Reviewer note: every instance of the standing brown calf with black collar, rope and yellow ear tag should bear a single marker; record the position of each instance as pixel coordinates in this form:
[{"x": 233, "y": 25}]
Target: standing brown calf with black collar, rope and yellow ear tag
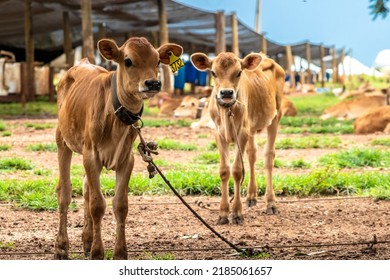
[{"x": 96, "y": 109}]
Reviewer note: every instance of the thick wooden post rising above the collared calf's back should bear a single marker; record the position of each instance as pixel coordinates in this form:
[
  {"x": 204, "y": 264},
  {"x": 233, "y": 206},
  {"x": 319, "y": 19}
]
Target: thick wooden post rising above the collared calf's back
[{"x": 86, "y": 23}]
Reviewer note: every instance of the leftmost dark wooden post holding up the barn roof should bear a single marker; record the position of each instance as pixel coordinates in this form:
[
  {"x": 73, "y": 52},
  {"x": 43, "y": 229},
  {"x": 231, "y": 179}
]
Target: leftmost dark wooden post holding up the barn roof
[{"x": 29, "y": 81}]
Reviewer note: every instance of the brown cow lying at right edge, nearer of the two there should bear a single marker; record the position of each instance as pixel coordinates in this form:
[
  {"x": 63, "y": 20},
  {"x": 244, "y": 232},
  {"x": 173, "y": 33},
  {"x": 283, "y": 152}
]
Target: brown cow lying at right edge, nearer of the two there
[{"x": 375, "y": 120}]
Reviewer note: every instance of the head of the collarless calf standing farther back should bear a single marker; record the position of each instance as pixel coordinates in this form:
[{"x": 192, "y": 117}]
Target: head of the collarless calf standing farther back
[{"x": 226, "y": 69}]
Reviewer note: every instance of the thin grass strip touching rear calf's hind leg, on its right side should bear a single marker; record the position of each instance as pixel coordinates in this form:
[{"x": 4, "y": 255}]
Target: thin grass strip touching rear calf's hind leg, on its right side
[{"x": 309, "y": 142}]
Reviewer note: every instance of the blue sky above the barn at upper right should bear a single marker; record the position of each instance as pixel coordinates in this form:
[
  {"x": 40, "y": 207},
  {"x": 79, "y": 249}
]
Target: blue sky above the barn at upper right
[{"x": 344, "y": 24}]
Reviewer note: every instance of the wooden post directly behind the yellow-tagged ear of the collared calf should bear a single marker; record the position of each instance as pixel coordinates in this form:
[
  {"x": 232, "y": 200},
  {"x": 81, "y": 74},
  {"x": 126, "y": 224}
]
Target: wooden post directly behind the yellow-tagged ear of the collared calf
[{"x": 164, "y": 38}]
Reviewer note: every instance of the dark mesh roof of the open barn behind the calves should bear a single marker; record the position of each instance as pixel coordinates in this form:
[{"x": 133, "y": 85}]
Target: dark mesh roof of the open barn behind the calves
[{"x": 193, "y": 28}]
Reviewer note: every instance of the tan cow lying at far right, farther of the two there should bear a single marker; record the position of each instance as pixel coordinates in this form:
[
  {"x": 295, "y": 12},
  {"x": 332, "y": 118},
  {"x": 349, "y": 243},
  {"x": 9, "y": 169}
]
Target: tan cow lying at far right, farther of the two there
[{"x": 352, "y": 109}]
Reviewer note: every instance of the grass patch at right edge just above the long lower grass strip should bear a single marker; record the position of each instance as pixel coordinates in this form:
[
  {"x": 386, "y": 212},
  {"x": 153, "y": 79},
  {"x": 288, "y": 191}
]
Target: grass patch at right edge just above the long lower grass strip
[{"x": 357, "y": 157}]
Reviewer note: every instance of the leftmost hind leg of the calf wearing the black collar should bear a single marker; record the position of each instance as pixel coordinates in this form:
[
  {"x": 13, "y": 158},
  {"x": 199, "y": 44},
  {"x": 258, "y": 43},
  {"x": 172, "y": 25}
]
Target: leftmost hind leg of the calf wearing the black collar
[{"x": 64, "y": 196}]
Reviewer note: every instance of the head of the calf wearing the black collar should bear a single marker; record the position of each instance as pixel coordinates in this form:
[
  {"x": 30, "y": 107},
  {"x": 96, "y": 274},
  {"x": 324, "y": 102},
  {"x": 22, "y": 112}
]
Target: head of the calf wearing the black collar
[{"x": 138, "y": 63}]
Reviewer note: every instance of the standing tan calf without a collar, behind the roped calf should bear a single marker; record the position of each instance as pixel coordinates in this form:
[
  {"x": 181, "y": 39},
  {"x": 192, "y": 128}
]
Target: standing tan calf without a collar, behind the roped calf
[{"x": 248, "y": 96}]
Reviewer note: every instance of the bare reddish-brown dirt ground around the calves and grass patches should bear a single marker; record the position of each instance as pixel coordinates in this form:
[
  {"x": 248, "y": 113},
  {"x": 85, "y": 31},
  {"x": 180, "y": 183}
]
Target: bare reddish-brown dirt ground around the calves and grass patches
[{"x": 158, "y": 225}]
